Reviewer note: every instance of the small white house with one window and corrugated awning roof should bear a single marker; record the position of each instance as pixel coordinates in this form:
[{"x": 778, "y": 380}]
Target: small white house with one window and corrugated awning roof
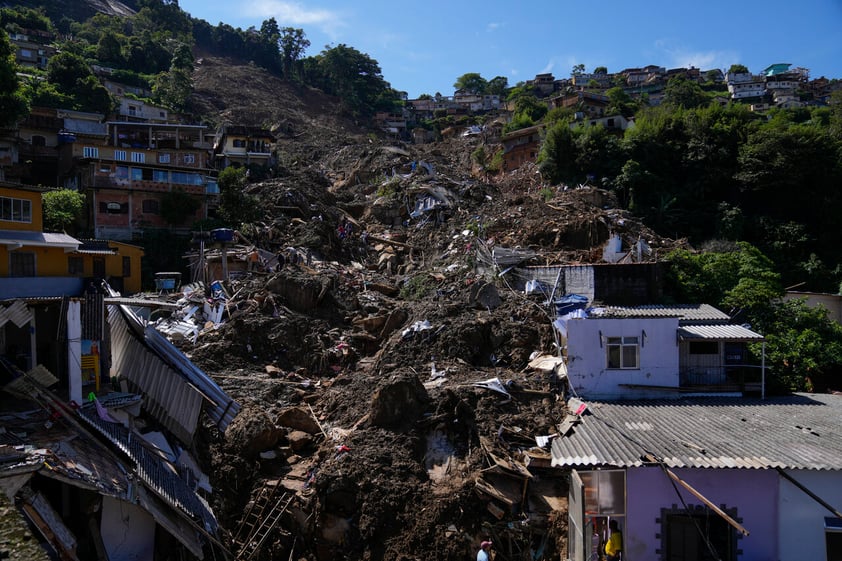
[{"x": 658, "y": 352}]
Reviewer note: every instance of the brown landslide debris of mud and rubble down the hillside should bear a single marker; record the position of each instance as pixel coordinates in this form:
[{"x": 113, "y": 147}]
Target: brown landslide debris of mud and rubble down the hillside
[{"x": 389, "y": 407}]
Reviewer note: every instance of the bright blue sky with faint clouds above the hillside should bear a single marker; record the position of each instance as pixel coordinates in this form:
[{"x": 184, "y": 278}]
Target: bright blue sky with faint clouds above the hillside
[{"x": 424, "y": 47}]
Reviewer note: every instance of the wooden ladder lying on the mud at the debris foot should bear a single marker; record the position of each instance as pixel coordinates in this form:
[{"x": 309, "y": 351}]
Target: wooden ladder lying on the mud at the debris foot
[{"x": 260, "y": 520}]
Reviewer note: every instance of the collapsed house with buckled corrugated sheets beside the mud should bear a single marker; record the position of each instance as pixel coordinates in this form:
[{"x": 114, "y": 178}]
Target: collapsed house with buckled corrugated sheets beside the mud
[{"x": 111, "y": 475}]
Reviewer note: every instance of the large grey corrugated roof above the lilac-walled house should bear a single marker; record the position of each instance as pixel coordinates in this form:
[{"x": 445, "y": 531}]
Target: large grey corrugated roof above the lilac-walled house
[{"x": 794, "y": 432}]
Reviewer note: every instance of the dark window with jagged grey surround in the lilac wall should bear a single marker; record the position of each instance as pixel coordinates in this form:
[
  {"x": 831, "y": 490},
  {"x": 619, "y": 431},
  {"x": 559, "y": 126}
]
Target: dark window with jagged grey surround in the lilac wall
[{"x": 698, "y": 534}]
